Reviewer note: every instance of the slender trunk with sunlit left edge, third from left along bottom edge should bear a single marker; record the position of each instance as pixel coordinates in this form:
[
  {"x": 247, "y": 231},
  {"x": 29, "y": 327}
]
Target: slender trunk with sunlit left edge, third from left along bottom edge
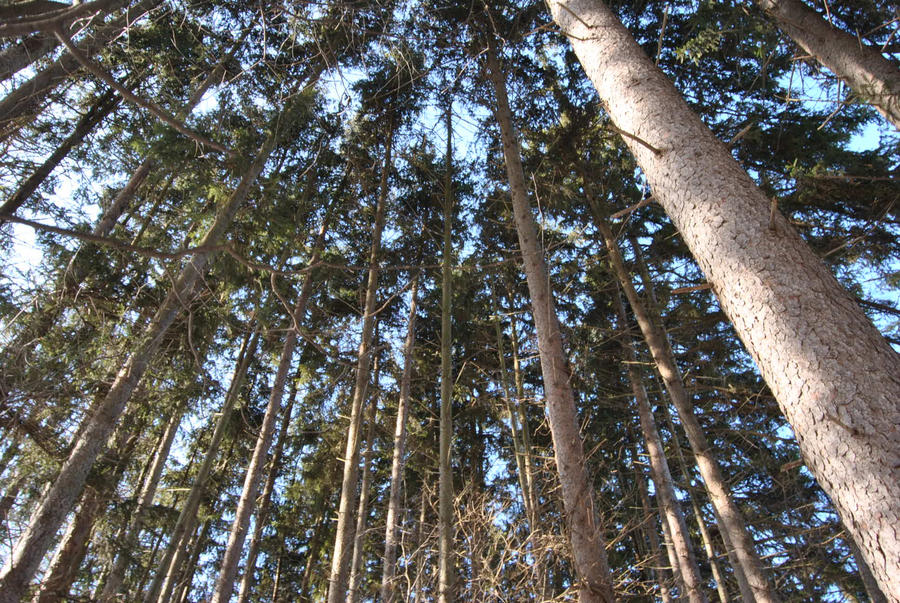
[{"x": 144, "y": 500}]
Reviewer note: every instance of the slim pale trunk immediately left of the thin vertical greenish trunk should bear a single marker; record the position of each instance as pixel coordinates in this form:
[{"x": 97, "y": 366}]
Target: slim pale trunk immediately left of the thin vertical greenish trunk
[{"x": 388, "y": 577}]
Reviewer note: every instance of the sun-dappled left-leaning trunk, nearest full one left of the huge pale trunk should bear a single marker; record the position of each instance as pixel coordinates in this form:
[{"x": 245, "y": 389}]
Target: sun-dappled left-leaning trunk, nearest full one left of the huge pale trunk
[{"x": 732, "y": 519}]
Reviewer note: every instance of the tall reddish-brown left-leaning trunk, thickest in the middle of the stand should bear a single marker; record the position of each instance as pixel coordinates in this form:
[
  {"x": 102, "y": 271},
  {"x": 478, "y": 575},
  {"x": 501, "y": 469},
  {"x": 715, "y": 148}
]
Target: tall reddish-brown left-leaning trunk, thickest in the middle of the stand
[{"x": 585, "y": 535}]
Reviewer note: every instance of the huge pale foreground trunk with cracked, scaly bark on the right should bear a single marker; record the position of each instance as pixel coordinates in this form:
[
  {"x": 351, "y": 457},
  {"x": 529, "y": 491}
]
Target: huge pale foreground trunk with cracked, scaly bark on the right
[{"x": 835, "y": 377}]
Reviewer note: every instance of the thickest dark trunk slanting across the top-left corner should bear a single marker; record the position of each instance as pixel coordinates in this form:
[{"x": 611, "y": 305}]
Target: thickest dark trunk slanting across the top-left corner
[{"x": 24, "y": 102}]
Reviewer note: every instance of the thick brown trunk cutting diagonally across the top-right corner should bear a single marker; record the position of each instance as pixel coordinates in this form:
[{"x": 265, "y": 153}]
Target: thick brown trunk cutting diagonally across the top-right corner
[{"x": 873, "y": 77}]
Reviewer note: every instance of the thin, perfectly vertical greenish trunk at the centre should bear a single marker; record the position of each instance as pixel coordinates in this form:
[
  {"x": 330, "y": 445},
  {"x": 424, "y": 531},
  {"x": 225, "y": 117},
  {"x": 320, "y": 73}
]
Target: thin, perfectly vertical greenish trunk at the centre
[{"x": 446, "y": 578}]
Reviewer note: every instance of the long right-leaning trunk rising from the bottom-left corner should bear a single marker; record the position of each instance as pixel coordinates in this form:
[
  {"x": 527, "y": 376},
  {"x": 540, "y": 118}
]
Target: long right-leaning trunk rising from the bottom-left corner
[{"x": 52, "y": 510}]
